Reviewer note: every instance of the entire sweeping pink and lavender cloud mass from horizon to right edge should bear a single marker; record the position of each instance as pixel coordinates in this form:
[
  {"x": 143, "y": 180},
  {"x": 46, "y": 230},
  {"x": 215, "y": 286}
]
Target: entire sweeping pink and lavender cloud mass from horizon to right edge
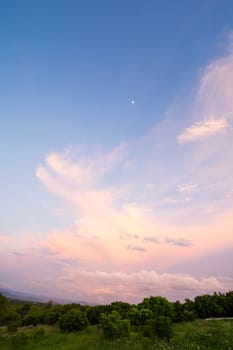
[{"x": 141, "y": 209}]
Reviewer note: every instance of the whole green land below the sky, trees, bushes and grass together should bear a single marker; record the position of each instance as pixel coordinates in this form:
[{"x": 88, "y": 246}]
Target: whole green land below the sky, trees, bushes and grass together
[{"x": 153, "y": 324}]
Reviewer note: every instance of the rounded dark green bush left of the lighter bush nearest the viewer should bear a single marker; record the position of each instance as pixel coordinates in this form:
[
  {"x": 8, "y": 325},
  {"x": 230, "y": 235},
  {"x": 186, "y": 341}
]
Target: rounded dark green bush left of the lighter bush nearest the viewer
[{"x": 72, "y": 321}]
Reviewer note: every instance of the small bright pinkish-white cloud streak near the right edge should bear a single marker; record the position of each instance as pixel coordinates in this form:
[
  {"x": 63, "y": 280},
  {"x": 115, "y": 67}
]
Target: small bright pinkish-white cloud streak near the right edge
[{"x": 203, "y": 129}]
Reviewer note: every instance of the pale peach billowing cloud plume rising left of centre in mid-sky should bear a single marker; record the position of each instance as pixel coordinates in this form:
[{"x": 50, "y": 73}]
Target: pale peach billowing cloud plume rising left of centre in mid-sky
[{"x": 98, "y": 210}]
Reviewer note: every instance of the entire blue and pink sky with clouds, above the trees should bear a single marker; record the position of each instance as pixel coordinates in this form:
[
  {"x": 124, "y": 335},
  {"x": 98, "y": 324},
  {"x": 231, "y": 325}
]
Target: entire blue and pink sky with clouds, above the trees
[{"x": 116, "y": 148}]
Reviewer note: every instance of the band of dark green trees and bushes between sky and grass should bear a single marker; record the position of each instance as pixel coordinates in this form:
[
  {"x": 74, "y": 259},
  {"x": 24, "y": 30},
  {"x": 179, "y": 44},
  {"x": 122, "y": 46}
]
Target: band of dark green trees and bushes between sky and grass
[{"x": 152, "y": 317}]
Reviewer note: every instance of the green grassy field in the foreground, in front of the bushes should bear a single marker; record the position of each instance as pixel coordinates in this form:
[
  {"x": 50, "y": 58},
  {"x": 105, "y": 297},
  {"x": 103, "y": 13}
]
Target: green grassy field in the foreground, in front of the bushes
[{"x": 198, "y": 335}]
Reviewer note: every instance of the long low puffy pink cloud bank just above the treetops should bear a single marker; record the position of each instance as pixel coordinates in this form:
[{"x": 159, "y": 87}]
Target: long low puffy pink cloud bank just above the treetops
[{"x": 101, "y": 286}]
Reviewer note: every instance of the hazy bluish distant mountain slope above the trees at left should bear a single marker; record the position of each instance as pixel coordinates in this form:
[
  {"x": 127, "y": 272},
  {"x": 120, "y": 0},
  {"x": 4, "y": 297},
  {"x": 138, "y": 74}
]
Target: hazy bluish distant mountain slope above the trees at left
[{"x": 15, "y": 295}]
